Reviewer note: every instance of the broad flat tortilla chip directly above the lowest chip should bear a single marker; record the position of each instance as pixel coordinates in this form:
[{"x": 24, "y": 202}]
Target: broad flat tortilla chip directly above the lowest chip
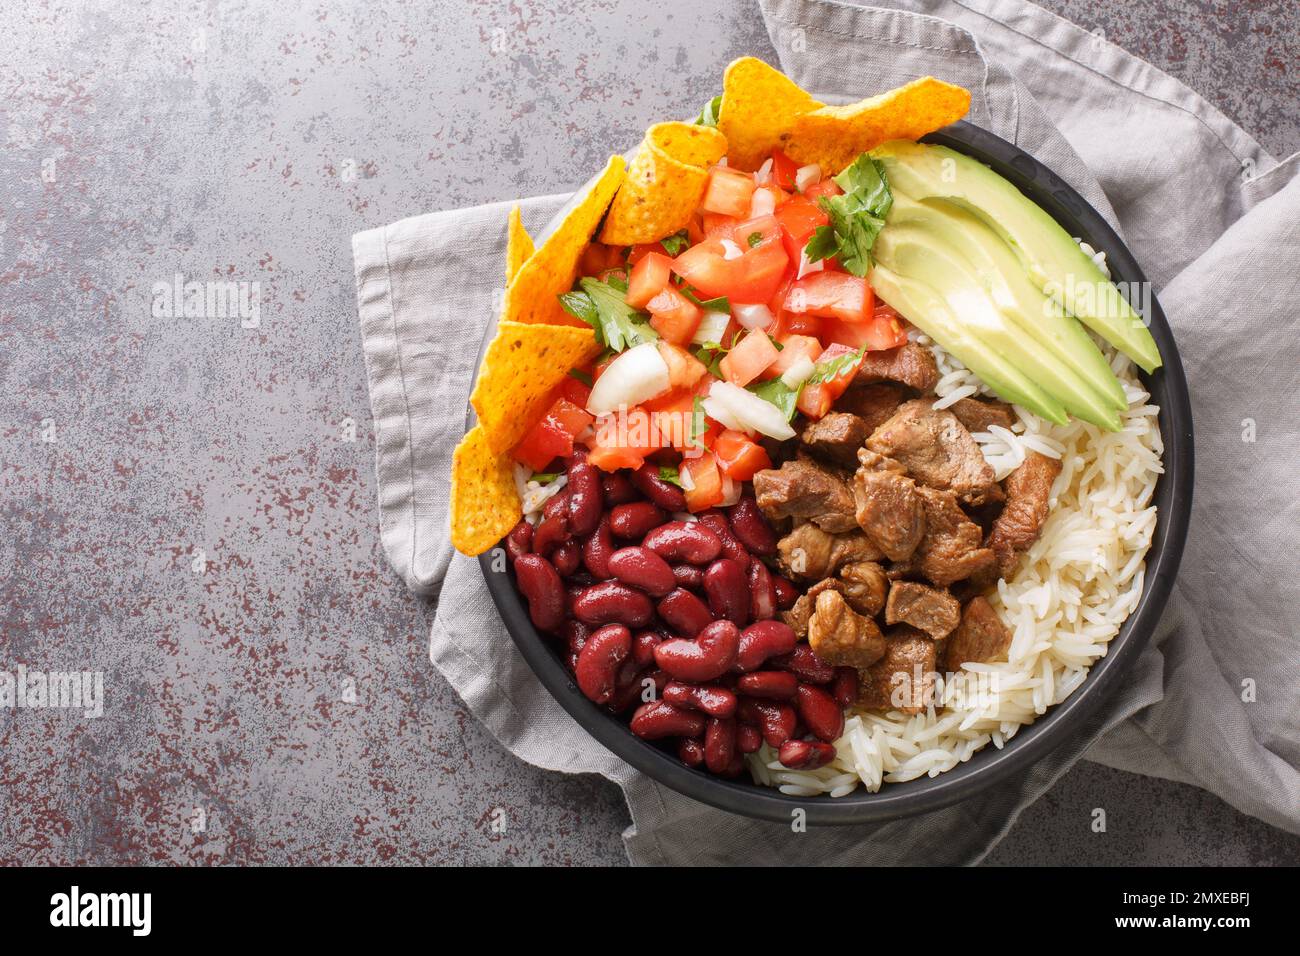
[{"x": 522, "y": 369}]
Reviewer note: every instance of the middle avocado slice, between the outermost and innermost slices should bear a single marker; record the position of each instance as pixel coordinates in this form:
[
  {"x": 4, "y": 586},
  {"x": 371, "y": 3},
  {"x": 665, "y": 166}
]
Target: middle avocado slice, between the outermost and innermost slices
[{"x": 1003, "y": 276}]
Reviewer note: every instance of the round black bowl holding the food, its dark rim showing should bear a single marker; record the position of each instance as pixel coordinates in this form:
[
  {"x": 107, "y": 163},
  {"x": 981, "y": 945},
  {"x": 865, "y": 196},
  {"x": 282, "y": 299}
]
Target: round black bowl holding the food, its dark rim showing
[{"x": 1173, "y": 500}]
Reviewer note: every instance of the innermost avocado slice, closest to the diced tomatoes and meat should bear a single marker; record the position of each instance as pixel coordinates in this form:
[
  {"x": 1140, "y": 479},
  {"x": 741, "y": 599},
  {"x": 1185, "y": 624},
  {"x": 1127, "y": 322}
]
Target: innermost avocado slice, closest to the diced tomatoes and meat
[{"x": 928, "y": 257}]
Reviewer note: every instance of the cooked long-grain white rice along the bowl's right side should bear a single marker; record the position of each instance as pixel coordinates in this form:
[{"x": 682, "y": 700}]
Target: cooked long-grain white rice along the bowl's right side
[{"x": 1072, "y": 592}]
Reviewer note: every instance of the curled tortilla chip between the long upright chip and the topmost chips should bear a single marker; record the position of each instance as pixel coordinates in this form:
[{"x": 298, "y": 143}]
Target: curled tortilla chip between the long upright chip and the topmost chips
[{"x": 665, "y": 184}]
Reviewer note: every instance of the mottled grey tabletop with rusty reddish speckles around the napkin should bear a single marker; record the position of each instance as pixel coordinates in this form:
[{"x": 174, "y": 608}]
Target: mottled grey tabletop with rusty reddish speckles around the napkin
[{"x": 189, "y": 504}]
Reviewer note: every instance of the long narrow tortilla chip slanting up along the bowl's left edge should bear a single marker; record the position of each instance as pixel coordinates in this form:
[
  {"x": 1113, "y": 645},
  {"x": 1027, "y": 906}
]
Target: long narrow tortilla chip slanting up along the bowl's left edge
[{"x": 552, "y": 270}]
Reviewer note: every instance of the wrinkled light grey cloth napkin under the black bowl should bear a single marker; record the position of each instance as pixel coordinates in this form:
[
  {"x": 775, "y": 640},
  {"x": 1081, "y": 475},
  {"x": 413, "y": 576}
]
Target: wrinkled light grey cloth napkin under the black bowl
[{"x": 1212, "y": 218}]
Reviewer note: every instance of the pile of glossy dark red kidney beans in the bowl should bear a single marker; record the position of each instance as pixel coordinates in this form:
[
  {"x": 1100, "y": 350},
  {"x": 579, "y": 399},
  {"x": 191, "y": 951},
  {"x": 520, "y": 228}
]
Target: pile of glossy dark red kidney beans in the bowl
[{"x": 674, "y": 625}]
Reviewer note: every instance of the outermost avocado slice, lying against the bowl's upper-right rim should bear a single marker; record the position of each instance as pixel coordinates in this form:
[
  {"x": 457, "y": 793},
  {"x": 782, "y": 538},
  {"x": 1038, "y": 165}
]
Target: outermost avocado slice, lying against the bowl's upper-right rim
[{"x": 1054, "y": 261}]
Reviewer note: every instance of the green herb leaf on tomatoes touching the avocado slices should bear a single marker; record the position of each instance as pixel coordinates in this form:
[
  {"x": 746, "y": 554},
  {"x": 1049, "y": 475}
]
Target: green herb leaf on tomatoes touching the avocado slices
[{"x": 856, "y": 218}]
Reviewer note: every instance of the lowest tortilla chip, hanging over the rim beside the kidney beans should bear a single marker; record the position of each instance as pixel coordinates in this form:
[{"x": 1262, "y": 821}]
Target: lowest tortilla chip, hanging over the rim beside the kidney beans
[{"x": 484, "y": 500}]
